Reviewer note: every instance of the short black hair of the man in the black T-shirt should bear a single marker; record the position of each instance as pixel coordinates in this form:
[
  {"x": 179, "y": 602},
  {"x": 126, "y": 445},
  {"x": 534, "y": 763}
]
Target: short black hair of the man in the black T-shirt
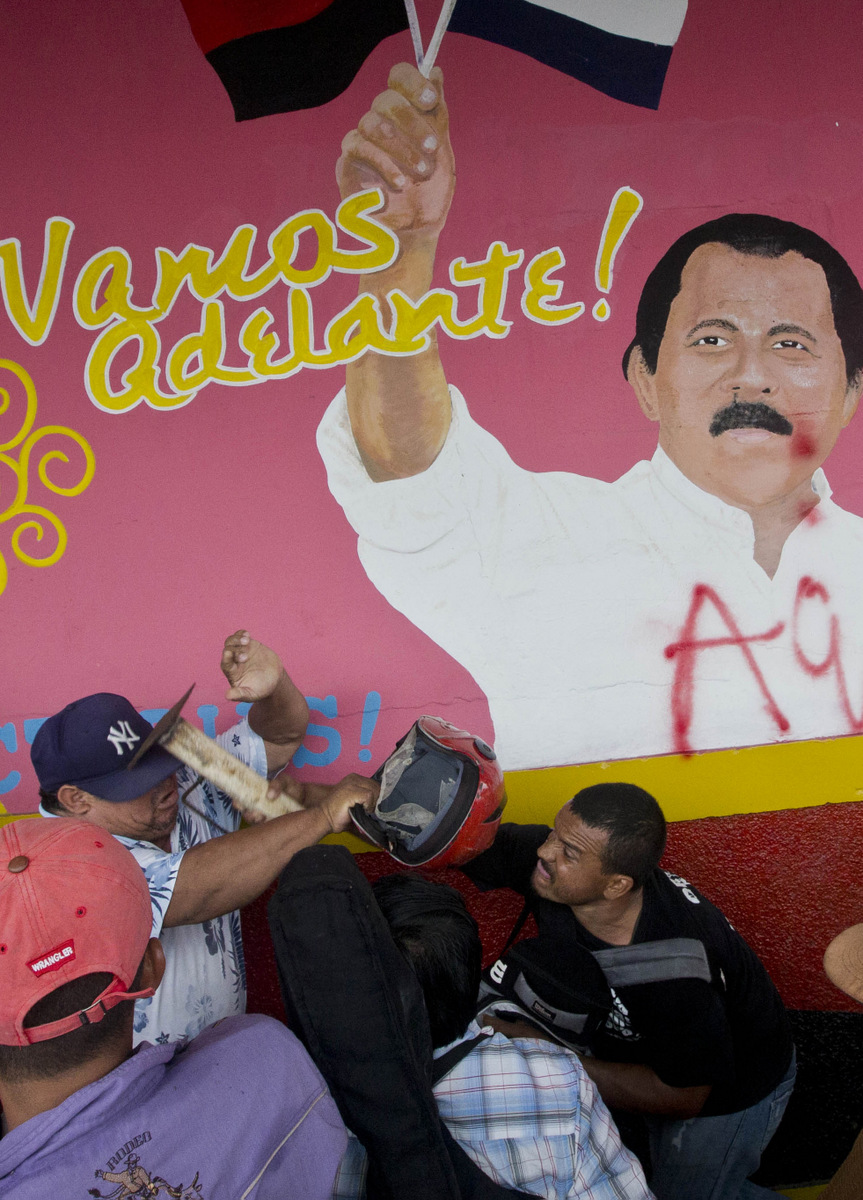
[{"x": 634, "y": 823}]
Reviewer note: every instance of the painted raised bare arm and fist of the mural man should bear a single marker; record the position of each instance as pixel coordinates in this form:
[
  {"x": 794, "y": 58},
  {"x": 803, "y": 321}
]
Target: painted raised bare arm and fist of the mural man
[{"x": 400, "y": 407}]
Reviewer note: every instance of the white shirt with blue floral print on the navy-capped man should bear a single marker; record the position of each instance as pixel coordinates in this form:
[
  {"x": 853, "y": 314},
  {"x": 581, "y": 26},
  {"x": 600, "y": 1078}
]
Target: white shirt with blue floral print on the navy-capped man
[{"x": 206, "y": 973}]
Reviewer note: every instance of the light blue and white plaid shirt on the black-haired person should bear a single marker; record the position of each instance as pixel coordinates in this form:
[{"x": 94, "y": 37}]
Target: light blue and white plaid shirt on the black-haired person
[{"x": 530, "y": 1119}]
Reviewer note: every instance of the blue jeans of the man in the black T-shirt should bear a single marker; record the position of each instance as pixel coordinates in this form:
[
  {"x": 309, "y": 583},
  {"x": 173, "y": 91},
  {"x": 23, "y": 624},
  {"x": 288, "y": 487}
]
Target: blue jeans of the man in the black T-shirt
[{"x": 711, "y": 1159}]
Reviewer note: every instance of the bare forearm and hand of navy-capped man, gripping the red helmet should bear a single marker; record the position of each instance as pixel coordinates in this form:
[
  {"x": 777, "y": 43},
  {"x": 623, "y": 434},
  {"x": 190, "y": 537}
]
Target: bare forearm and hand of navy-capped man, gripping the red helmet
[{"x": 233, "y": 871}]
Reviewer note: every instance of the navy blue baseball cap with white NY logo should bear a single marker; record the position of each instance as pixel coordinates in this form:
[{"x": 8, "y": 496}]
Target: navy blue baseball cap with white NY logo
[{"x": 91, "y": 745}]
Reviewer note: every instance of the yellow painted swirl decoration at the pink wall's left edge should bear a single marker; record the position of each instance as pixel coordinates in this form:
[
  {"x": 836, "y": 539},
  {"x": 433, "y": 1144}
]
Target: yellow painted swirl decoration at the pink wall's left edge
[{"x": 26, "y": 518}]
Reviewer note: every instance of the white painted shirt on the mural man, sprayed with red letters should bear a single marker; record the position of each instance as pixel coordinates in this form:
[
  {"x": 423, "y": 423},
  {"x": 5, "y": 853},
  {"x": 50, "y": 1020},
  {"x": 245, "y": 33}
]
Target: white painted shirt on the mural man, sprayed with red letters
[{"x": 612, "y": 621}]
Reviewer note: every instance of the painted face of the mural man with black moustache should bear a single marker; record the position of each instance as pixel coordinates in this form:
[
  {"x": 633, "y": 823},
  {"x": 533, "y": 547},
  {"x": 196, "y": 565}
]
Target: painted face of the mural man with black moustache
[{"x": 751, "y": 391}]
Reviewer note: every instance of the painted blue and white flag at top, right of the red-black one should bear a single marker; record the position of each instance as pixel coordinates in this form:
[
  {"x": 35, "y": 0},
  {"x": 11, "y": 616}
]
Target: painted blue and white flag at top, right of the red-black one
[{"x": 620, "y": 47}]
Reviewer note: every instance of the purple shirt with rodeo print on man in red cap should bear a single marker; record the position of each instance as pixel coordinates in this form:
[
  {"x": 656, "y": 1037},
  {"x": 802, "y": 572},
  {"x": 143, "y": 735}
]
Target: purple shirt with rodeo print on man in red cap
[{"x": 242, "y": 1112}]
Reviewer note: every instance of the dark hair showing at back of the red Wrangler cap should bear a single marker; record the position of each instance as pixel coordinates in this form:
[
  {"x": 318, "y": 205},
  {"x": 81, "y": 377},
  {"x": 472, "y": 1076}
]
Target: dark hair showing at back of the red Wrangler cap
[{"x": 45, "y": 1060}]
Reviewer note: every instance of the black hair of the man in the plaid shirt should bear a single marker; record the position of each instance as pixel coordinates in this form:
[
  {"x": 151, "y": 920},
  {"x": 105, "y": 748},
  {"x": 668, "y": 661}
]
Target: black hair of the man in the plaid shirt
[{"x": 440, "y": 939}]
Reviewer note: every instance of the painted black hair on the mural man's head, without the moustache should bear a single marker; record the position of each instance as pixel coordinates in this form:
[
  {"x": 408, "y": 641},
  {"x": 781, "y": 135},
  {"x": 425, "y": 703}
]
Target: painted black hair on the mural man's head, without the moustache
[{"x": 751, "y": 233}]
